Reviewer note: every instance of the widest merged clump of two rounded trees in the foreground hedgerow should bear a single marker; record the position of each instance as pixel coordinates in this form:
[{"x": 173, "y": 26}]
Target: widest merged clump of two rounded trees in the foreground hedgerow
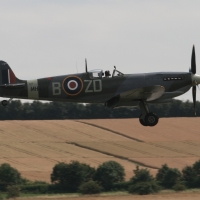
[{"x": 76, "y": 176}]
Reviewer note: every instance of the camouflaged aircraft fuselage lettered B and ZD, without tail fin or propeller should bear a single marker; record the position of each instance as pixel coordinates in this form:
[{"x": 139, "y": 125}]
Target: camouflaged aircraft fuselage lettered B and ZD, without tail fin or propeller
[{"x": 84, "y": 88}]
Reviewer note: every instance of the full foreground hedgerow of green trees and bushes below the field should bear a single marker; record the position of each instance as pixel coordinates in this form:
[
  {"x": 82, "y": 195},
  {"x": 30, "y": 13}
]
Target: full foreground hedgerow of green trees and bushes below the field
[{"x": 76, "y": 177}]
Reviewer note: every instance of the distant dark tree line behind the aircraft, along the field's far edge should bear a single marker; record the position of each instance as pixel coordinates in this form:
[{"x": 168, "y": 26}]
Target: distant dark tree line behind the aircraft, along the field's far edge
[{"x": 62, "y": 110}]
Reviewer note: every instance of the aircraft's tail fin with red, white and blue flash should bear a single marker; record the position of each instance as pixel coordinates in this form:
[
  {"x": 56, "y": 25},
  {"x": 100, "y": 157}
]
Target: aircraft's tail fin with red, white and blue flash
[{"x": 6, "y": 74}]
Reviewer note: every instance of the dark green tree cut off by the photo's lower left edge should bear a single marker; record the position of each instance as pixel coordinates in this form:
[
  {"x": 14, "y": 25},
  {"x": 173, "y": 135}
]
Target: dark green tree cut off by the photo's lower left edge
[{"x": 9, "y": 176}]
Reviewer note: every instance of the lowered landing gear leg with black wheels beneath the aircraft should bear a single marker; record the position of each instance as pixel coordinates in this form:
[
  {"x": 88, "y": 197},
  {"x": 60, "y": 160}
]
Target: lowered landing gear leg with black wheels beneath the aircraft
[{"x": 147, "y": 118}]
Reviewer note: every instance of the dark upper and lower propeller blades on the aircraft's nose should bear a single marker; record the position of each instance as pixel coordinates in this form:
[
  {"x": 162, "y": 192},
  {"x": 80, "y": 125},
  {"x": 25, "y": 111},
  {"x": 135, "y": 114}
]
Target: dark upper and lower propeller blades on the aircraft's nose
[{"x": 193, "y": 70}]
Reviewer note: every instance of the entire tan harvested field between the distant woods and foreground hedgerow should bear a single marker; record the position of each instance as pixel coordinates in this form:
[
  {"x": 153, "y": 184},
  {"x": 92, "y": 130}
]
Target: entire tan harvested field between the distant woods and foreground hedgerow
[{"x": 34, "y": 147}]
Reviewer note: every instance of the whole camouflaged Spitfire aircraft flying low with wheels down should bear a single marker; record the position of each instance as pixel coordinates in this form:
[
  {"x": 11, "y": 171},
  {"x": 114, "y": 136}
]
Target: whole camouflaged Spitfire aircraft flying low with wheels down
[{"x": 95, "y": 86}]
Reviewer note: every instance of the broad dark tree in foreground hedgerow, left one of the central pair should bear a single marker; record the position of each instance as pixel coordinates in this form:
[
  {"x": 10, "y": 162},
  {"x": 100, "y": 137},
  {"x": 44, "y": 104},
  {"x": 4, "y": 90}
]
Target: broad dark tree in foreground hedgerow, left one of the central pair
[{"x": 70, "y": 176}]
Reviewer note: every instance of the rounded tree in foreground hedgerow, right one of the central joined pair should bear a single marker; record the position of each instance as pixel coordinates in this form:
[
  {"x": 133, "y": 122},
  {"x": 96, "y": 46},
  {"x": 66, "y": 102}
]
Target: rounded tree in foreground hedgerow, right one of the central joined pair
[{"x": 109, "y": 173}]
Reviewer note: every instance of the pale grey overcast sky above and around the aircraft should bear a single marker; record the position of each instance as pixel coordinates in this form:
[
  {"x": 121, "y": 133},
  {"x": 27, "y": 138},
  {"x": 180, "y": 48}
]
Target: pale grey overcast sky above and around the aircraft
[{"x": 41, "y": 38}]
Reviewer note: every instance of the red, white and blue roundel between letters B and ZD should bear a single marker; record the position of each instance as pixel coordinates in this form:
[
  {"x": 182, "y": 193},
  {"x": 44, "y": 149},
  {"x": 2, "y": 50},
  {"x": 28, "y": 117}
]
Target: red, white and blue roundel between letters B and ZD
[{"x": 72, "y": 85}]
